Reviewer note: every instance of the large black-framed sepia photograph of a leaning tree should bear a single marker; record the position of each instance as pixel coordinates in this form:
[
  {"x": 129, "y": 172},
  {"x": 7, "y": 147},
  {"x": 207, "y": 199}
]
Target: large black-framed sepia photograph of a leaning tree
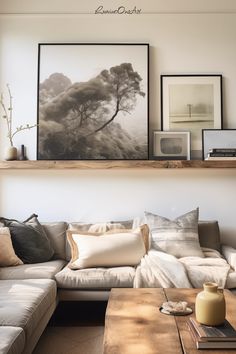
[{"x": 92, "y": 101}]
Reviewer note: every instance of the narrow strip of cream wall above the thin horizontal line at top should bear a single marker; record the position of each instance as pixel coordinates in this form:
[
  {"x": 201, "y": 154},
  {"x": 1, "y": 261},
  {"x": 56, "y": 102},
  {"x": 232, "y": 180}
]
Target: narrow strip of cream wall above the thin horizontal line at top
[{"x": 147, "y": 6}]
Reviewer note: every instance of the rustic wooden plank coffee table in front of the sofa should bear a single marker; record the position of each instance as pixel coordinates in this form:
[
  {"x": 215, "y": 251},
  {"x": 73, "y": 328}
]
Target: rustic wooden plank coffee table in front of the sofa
[{"x": 134, "y": 324}]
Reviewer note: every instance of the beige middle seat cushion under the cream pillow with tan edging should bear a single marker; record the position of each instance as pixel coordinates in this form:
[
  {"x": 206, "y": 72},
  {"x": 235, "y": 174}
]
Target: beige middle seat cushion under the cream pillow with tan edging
[{"x": 96, "y": 278}]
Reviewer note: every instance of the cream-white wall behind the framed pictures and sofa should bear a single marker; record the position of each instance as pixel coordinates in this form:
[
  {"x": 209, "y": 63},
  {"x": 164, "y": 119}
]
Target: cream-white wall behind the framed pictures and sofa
[{"x": 180, "y": 43}]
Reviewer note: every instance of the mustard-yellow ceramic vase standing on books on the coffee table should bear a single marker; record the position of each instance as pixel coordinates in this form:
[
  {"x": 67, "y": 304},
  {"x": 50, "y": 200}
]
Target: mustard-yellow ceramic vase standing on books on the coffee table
[{"x": 210, "y": 305}]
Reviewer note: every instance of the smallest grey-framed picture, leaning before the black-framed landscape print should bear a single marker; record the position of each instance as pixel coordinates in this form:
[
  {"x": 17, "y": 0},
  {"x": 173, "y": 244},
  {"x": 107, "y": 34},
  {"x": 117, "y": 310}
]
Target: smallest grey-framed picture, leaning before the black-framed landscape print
[{"x": 171, "y": 145}]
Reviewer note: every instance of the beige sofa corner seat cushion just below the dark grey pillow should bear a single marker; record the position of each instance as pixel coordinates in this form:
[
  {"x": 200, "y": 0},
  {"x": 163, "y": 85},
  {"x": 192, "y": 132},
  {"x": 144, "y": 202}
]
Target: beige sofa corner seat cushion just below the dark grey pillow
[{"x": 46, "y": 270}]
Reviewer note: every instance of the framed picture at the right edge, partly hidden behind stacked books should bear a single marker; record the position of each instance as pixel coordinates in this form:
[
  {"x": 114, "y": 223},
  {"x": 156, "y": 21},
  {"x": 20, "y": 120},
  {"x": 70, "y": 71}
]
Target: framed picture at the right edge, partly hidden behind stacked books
[{"x": 217, "y": 139}]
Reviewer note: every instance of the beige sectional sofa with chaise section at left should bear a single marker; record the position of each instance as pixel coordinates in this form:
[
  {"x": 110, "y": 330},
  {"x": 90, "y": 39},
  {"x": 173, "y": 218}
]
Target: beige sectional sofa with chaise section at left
[{"x": 29, "y": 293}]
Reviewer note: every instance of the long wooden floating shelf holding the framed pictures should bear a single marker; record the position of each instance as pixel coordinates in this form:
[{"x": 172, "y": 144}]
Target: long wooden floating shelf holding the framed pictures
[{"x": 114, "y": 164}]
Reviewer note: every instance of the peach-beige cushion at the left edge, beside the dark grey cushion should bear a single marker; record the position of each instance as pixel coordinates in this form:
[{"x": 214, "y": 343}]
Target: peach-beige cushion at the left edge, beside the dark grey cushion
[{"x": 7, "y": 253}]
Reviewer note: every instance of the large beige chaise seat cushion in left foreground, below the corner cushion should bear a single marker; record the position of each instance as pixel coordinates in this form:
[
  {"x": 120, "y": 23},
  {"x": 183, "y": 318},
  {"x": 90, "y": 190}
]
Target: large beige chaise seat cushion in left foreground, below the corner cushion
[{"x": 24, "y": 302}]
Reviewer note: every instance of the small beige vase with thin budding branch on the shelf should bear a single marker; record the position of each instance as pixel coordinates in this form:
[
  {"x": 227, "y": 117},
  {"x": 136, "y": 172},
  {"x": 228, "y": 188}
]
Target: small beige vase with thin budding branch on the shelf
[{"x": 11, "y": 151}]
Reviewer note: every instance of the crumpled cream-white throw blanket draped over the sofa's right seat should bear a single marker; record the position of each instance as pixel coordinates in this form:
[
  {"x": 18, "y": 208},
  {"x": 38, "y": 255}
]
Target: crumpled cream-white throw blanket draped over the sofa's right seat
[{"x": 159, "y": 269}]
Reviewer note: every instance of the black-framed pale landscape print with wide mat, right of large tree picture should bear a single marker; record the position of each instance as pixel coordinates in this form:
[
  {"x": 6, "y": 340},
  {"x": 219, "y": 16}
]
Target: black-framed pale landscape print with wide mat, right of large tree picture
[{"x": 192, "y": 103}]
